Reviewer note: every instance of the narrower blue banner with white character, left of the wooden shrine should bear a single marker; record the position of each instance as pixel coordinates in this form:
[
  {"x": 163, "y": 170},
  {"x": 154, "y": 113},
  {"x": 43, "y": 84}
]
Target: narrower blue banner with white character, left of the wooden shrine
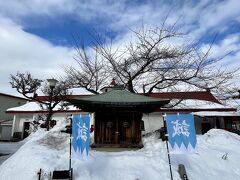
[{"x": 81, "y": 133}]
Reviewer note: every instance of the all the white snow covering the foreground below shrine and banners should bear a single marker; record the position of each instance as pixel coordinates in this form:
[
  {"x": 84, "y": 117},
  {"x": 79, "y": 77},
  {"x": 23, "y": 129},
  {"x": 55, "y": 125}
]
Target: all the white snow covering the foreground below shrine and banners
[{"x": 50, "y": 151}]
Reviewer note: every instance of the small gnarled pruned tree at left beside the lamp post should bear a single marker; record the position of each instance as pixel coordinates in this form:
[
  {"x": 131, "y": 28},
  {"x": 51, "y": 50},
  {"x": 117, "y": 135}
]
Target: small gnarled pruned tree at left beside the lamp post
[{"x": 28, "y": 86}]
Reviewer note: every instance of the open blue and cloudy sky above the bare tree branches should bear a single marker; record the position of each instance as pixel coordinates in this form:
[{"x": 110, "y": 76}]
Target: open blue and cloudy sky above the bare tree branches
[{"x": 37, "y": 35}]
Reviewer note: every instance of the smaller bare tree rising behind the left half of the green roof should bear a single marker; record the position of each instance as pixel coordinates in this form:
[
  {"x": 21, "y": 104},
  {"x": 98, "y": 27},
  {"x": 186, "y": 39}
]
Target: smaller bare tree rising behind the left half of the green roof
[{"x": 92, "y": 74}]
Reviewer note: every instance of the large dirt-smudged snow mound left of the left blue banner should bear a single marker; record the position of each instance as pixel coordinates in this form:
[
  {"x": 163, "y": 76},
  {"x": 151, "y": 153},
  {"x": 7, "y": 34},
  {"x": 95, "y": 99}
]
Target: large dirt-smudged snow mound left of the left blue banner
[{"x": 41, "y": 150}]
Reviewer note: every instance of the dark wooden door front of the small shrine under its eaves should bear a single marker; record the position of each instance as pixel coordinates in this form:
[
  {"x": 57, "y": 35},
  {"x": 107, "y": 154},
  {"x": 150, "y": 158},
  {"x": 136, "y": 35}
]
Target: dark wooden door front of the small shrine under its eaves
[{"x": 117, "y": 128}]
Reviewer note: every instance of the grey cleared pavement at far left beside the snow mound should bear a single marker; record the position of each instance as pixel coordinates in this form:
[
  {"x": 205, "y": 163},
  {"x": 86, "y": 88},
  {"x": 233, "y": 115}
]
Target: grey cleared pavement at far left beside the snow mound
[{"x": 8, "y": 148}]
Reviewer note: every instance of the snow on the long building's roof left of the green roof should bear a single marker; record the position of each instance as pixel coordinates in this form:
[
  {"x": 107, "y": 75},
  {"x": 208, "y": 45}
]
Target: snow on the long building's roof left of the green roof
[{"x": 35, "y": 106}]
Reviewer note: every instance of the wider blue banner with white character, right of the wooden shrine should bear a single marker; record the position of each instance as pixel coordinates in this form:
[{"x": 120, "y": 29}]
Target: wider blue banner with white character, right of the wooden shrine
[{"x": 181, "y": 131}]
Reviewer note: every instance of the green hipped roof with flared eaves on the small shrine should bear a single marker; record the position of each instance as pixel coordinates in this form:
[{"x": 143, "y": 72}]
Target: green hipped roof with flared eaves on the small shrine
[{"x": 118, "y": 99}]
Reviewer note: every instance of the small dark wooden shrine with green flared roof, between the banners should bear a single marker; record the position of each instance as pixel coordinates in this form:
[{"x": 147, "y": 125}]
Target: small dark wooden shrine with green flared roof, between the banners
[{"x": 118, "y": 116}]
